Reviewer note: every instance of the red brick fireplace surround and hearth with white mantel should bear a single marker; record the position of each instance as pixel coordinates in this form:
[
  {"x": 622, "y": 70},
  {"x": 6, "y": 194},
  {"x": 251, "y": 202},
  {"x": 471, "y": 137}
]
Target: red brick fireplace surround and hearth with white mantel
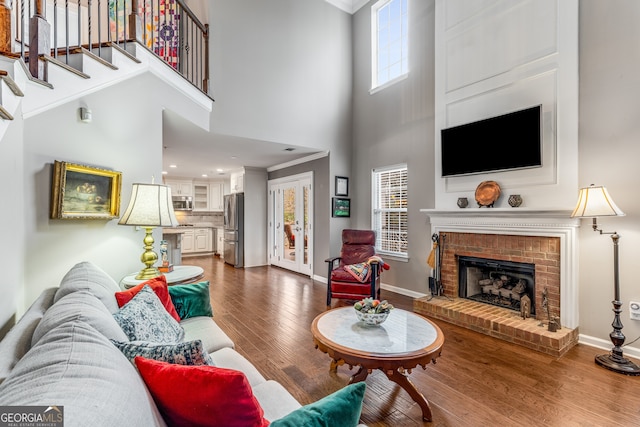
[{"x": 544, "y": 238}]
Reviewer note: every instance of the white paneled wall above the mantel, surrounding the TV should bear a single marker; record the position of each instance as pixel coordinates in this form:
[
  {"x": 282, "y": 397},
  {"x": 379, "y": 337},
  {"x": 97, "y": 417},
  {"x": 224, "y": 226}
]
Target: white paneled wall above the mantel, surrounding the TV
[{"x": 497, "y": 57}]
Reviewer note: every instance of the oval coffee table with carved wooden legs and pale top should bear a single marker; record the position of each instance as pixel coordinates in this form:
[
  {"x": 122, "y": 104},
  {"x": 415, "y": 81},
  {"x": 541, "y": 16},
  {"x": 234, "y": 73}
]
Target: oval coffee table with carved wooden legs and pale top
[{"x": 405, "y": 340}]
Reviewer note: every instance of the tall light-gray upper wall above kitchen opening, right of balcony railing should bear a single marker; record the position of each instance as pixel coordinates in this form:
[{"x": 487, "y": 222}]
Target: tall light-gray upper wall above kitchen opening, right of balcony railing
[{"x": 282, "y": 72}]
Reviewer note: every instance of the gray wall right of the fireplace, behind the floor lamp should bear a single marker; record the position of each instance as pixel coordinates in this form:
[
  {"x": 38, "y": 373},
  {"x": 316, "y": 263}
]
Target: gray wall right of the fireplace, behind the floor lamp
[{"x": 608, "y": 155}]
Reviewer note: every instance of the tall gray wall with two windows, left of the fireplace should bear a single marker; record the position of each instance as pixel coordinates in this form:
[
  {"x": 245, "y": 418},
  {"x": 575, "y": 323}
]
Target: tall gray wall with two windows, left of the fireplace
[{"x": 396, "y": 125}]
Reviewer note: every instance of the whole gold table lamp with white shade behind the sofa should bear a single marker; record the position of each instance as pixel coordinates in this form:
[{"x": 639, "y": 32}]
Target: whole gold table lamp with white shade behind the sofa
[{"x": 150, "y": 206}]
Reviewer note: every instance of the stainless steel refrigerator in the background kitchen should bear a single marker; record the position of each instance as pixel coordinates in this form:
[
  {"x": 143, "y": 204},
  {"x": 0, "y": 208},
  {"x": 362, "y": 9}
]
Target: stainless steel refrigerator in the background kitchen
[{"x": 234, "y": 229}]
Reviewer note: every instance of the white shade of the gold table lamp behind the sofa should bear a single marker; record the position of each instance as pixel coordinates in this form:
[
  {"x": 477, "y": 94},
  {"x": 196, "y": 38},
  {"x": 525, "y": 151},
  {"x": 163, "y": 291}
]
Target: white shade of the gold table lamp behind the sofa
[{"x": 150, "y": 206}]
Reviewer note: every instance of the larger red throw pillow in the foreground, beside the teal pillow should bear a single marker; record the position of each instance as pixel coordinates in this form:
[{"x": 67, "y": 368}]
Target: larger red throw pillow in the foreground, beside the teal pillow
[{"x": 201, "y": 395}]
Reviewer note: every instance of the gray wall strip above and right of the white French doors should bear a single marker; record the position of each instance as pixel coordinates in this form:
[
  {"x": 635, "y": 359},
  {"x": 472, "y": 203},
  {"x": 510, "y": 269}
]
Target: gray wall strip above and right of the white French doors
[{"x": 321, "y": 207}]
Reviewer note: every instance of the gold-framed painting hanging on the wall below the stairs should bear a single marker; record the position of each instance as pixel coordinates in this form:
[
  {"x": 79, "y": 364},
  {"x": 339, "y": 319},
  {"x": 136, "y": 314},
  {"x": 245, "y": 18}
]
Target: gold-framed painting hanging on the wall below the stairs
[{"x": 84, "y": 192}]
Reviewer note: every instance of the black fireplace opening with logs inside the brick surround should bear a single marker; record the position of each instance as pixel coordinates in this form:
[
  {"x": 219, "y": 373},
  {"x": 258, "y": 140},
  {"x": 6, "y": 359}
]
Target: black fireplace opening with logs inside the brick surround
[{"x": 496, "y": 282}]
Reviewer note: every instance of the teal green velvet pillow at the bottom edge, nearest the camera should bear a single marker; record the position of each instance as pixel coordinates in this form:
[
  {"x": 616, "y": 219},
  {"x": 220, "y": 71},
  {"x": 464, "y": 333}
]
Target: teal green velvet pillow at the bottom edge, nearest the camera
[{"x": 339, "y": 409}]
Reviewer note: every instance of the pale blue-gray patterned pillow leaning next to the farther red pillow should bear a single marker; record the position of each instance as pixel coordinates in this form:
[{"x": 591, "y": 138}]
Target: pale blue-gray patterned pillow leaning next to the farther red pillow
[{"x": 145, "y": 319}]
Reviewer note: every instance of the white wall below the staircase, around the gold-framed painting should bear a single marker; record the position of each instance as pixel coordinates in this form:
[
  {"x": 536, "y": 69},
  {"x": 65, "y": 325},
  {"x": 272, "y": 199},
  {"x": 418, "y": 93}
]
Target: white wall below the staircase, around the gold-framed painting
[{"x": 125, "y": 135}]
